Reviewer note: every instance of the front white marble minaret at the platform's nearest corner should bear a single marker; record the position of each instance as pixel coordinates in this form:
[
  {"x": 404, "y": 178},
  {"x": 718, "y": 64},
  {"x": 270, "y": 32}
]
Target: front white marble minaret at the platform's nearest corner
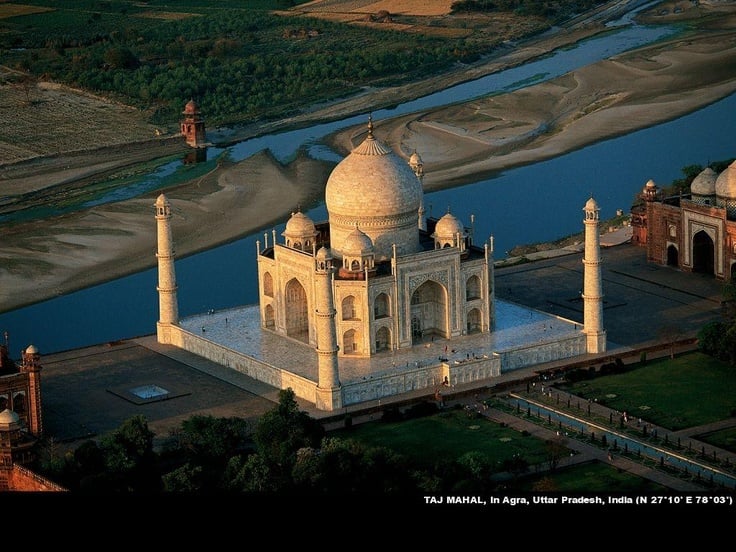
[{"x": 328, "y": 395}]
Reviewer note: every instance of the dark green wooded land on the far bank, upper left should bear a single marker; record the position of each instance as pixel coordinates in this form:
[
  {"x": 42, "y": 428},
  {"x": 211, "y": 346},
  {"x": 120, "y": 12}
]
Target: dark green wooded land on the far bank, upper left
[{"x": 237, "y": 60}]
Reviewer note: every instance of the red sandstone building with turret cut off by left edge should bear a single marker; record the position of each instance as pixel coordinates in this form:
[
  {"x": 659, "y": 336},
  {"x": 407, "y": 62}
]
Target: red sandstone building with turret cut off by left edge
[{"x": 21, "y": 423}]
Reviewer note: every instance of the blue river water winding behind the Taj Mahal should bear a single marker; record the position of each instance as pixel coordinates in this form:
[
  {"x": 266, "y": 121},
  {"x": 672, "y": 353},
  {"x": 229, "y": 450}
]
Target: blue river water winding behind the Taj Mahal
[{"x": 536, "y": 203}]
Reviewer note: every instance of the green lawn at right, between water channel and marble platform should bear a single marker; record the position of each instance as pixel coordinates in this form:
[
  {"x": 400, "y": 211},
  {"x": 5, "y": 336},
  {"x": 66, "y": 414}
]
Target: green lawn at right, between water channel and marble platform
[{"x": 687, "y": 391}]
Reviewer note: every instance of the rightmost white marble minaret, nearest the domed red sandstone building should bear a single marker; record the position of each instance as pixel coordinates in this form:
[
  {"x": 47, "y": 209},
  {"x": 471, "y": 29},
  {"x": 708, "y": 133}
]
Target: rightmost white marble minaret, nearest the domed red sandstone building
[{"x": 592, "y": 282}]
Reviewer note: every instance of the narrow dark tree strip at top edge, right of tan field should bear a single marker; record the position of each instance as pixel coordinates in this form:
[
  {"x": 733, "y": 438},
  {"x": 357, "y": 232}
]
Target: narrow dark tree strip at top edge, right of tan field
[{"x": 555, "y": 11}]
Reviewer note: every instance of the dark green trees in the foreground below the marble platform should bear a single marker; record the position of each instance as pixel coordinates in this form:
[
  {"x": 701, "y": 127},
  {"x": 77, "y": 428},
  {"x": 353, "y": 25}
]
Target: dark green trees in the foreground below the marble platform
[{"x": 286, "y": 452}]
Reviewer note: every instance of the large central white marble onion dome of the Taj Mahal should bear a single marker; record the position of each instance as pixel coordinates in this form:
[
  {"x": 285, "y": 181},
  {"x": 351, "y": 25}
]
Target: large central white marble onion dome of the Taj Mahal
[{"x": 377, "y": 190}]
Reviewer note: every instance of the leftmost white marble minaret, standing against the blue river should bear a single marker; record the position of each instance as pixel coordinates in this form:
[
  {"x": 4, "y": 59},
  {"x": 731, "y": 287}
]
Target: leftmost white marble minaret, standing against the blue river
[{"x": 167, "y": 303}]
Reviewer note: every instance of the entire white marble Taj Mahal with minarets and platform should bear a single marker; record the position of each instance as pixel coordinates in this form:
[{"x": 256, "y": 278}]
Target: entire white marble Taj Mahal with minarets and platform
[{"x": 379, "y": 299}]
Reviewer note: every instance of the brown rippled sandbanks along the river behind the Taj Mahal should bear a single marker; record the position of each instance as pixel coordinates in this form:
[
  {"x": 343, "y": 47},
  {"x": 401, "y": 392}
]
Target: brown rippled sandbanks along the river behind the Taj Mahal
[{"x": 458, "y": 144}]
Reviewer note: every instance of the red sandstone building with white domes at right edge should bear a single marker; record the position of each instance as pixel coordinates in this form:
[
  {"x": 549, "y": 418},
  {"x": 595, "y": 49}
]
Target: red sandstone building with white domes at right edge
[{"x": 695, "y": 232}]
